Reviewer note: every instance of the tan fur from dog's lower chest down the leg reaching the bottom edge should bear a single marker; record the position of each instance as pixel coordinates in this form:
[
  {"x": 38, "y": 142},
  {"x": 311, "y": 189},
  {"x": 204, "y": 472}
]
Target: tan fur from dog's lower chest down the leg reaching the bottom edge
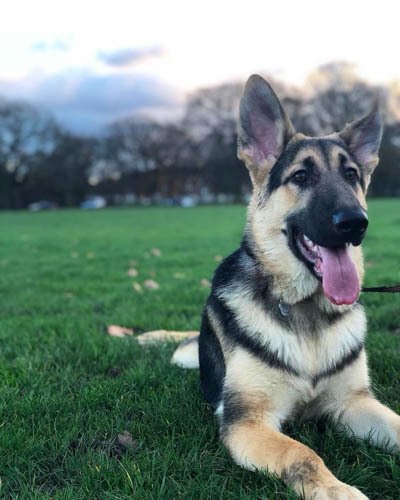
[{"x": 256, "y": 443}]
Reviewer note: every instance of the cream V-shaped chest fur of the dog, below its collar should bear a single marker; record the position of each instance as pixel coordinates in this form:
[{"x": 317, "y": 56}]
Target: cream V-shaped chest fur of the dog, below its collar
[{"x": 303, "y": 341}]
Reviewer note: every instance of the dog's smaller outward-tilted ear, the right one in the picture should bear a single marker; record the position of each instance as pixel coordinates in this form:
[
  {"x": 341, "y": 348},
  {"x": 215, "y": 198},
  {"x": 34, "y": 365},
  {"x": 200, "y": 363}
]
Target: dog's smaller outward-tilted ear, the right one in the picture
[{"x": 363, "y": 138}]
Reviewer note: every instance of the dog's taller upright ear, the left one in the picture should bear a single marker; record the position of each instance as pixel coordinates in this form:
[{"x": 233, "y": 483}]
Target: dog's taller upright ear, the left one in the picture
[{"x": 264, "y": 128}]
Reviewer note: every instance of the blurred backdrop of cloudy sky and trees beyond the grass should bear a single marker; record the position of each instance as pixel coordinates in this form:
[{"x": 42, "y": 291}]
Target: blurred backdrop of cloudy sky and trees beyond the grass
[{"x": 135, "y": 103}]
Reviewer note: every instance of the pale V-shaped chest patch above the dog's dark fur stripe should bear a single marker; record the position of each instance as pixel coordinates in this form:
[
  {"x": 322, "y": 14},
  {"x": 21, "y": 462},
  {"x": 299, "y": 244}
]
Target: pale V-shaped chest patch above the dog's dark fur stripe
[{"x": 304, "y": 340}]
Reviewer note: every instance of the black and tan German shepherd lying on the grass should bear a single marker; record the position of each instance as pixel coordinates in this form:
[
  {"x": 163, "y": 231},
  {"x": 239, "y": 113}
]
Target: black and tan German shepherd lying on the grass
[{"x": 282, "y": 334}]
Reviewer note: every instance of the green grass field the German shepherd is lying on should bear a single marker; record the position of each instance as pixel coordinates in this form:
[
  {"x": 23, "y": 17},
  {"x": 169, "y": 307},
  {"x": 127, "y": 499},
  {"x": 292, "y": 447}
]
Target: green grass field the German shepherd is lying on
[{"x": 68, "y": 389}]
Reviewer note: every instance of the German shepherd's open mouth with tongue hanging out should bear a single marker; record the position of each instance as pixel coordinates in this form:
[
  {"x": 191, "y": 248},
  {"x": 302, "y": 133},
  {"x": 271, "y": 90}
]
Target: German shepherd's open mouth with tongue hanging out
[{"x": 334, "y": 266}]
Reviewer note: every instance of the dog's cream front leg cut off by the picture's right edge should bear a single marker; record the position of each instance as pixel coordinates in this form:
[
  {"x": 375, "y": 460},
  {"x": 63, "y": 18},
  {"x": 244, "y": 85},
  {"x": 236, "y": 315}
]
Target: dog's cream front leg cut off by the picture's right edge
[{"x": 365, "y": 417}]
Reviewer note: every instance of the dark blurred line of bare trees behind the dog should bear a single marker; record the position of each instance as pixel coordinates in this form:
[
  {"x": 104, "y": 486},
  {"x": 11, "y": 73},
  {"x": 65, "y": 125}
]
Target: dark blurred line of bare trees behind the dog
[{"x": 138, "y": 159}]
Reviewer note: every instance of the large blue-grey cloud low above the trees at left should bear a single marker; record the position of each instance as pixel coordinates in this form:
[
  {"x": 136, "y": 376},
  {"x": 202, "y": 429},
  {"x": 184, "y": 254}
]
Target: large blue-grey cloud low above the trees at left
[{"x": 84, "y": 102}]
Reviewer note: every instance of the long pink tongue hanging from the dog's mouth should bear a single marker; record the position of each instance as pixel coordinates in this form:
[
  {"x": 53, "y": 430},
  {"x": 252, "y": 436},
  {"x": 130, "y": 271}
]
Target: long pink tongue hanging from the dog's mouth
[{"x": 339, "y": 276}]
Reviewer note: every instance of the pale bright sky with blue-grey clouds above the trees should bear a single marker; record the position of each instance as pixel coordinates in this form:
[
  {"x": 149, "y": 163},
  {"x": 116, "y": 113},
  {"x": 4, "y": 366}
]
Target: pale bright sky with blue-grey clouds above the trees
[{"x": 90, "y": 63}]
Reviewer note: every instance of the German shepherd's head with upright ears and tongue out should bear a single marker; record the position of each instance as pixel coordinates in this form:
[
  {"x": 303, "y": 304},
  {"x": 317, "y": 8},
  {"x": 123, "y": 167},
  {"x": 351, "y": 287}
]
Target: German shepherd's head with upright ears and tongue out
[{"x": 307, "y": 216}]
